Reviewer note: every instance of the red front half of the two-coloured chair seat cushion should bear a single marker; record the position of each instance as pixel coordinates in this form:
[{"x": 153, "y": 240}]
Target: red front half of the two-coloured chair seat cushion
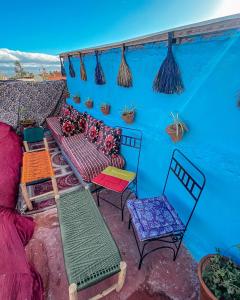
[{"x": 111, "y": 182}]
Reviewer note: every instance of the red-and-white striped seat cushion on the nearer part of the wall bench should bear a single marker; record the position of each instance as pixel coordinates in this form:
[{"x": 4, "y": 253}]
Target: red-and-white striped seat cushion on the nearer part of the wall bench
[{"x": 86, "y": 158}]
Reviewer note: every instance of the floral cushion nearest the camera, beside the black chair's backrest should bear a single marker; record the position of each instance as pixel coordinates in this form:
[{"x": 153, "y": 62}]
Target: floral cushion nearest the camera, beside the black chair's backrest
[{"x": 109, "y": 141}]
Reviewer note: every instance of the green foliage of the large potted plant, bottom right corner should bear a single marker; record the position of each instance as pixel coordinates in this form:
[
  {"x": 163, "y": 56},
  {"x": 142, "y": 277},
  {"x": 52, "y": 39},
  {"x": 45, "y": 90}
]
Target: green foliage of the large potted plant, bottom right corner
[{"x": 222, "y": 277}]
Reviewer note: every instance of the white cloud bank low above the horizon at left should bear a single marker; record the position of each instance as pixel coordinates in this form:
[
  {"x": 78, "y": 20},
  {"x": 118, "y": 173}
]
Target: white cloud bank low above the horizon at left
[{"x": 29, "y": 60}]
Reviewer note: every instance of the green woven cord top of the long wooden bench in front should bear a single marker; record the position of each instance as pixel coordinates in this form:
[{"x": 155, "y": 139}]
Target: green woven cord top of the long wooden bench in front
[{"x": 90, "y": 253}]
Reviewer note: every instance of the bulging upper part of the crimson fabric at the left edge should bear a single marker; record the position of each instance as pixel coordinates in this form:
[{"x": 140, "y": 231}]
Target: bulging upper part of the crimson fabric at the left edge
[{"x": 10, "y": 165}]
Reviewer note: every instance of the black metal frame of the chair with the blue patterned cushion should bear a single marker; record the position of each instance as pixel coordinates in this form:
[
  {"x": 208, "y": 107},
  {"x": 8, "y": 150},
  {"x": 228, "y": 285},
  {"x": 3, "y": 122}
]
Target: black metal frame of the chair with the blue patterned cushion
[{"x": 173, "y": 241}]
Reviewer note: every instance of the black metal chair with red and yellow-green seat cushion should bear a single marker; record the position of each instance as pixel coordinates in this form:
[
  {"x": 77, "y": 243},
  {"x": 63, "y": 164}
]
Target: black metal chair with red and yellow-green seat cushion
[{"x": 118, "y": 180}]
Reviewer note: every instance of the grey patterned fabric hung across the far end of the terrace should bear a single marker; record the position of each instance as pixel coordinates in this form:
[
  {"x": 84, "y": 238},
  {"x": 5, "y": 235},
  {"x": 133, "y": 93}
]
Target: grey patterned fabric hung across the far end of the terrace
[{"x": 34, "y": 100}]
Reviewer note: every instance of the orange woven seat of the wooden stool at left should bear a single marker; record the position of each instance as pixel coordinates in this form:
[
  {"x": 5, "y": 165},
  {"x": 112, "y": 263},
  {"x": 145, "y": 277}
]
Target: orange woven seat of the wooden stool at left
[{"x": 36, "y": 165}]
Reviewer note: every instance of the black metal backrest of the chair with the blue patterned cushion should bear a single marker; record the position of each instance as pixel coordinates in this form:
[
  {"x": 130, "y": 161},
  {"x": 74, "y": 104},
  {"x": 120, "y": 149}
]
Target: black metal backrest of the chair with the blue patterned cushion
[{"x": 193, "y": 185}]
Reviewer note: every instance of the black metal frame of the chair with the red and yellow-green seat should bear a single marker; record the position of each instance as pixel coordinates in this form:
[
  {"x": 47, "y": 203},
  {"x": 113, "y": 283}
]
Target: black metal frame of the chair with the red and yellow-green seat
[{"x": 132, "y": 142}]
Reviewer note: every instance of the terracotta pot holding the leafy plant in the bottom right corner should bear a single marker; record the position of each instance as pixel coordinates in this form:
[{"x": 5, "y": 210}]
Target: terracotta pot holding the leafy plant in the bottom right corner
[{"x": 205, "y": 293}]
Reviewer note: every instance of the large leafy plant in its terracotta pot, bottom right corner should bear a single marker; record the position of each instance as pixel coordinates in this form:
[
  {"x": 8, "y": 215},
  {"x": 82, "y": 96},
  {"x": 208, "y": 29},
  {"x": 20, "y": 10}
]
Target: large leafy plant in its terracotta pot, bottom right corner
[{"x": 219, "y": 277}]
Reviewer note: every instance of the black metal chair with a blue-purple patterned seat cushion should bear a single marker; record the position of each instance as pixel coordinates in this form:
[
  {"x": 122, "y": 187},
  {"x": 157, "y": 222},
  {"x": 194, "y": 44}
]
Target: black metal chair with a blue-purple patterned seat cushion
[{"x": 155, "y": 219}]
